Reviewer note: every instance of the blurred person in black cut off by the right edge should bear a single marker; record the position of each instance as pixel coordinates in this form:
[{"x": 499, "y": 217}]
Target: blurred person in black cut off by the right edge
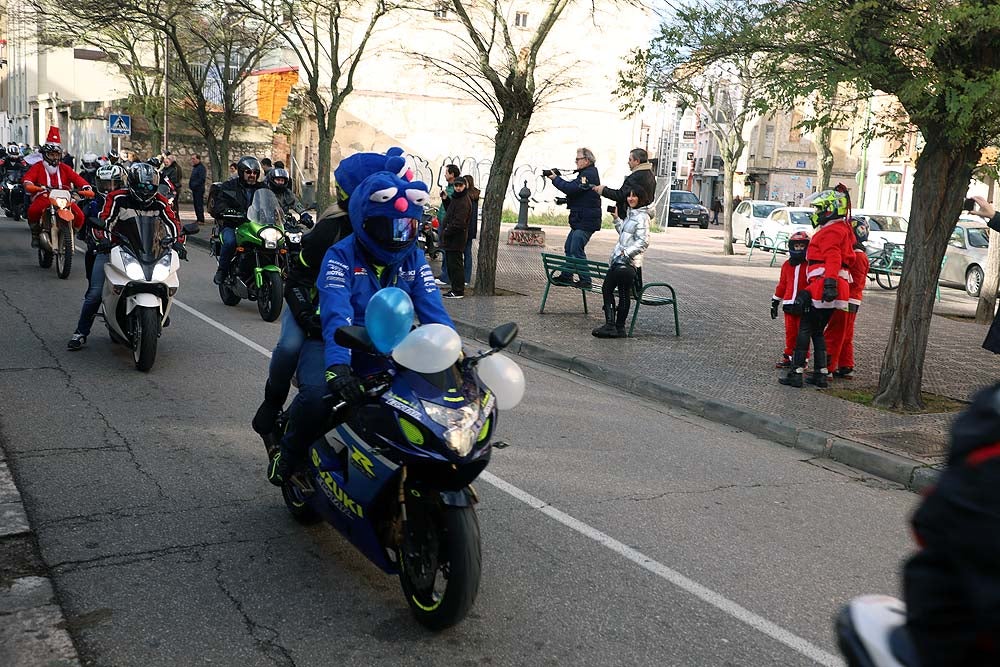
[{"x": 952, "y": 585}]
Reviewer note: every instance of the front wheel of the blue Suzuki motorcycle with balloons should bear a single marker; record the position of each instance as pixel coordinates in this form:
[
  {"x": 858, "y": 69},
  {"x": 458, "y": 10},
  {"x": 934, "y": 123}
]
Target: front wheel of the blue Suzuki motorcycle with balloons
[{"x": 440, "y": 564}]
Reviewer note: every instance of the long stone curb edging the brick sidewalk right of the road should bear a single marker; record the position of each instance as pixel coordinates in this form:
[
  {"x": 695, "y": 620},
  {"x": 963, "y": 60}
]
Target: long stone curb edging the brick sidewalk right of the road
[{"x": 911, "y": 474}]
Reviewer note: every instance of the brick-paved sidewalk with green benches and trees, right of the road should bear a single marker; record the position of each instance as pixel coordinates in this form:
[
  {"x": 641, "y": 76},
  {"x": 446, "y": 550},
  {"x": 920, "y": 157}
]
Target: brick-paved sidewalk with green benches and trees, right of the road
[{"x": 722, "y": 365}]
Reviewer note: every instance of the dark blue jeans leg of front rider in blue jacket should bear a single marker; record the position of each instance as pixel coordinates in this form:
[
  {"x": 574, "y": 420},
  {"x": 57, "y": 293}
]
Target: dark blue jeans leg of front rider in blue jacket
[{"x": 308, "y": 411}]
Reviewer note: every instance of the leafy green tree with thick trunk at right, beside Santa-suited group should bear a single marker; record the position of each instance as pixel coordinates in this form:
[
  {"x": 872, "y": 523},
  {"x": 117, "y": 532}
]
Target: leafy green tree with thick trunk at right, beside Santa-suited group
[{"x": 941, "y": 61}]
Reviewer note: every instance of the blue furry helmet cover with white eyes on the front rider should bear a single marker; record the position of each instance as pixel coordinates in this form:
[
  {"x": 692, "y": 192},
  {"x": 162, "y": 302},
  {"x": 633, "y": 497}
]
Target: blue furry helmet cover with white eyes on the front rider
[{"x": 385, "y": 194}]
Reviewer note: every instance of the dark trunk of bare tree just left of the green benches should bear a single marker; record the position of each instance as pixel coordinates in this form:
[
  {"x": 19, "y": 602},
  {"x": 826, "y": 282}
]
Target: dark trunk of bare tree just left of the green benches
[{"x": 510, "y": 135}]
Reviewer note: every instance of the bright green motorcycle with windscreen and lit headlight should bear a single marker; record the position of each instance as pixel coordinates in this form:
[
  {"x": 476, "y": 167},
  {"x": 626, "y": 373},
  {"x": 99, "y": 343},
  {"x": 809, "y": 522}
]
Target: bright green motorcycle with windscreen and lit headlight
[{"x": 256, "y": 270}]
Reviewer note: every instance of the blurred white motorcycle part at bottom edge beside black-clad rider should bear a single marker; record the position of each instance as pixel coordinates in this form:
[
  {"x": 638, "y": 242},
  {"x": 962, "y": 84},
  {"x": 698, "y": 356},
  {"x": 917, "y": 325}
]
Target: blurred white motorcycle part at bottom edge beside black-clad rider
[{"x": 871, "y": 632}]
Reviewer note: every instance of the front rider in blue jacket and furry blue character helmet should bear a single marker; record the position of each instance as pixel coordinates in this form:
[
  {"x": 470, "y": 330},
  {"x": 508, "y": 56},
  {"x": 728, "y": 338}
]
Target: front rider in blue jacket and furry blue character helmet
[{"x": 384, "y": 210}]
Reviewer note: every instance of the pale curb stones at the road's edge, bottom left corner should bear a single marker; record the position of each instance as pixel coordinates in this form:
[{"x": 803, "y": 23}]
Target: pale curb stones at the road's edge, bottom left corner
[{"x": 32, "y": 624}]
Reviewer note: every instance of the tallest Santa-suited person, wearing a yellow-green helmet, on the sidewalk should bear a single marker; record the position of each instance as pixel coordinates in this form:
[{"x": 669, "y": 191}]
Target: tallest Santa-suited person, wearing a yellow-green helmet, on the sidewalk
[{"x": 828, "y": 259}]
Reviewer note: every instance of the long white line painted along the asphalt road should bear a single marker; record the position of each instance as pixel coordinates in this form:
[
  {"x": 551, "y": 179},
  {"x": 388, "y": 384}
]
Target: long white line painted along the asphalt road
[{"x": 717, "y": 600}]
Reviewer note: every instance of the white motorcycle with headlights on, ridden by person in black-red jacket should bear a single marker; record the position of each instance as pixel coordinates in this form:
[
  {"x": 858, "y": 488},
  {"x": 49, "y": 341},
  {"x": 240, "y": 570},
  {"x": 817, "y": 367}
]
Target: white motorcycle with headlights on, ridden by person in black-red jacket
[{"x": 140, "y": 283}]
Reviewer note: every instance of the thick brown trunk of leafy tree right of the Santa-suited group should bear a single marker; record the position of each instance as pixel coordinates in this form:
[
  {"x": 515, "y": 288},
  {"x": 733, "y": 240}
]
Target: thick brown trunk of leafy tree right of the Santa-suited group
[{"x": 939, "y": 186}]
